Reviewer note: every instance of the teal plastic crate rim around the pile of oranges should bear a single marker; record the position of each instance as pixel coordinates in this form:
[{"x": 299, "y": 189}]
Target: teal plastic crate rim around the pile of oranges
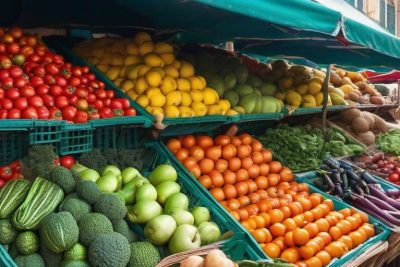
[{"x": 382, "y": 234}]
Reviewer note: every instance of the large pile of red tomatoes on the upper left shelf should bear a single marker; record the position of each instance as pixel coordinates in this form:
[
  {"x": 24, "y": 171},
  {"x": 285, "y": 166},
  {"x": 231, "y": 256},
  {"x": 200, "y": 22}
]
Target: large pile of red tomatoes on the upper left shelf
[{"x": 36, "y": 83}]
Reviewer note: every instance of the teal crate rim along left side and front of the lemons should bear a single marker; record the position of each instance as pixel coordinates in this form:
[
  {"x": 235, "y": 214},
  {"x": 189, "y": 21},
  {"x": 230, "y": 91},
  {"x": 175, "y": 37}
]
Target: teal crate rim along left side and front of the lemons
[{"x": 63, "y": 44}]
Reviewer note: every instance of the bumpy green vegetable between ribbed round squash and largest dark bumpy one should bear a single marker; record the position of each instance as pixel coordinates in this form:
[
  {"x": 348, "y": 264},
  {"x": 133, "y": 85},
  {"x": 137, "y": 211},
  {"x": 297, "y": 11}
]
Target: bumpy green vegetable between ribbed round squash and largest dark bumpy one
[{"x": 93, "y": 225}]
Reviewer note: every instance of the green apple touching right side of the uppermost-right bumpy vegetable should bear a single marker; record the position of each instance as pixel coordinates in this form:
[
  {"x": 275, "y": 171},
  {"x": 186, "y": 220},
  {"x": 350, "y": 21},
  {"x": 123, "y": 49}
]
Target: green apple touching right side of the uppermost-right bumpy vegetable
[{"x": 143, "y": 211}]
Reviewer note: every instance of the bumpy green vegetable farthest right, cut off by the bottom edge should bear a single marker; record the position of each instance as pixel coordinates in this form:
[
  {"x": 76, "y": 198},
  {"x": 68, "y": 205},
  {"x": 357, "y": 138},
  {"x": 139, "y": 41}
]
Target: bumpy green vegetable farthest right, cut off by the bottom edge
[{"x": 144, "y": 254}]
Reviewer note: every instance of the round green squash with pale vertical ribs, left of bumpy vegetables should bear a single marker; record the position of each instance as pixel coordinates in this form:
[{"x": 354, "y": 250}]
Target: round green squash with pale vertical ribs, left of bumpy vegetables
[{"x": 59, "y": 231}]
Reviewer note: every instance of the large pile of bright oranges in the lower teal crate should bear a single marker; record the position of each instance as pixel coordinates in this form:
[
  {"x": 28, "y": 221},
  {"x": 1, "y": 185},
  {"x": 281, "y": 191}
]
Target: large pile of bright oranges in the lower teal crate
[{"x": 283, "y": 216}]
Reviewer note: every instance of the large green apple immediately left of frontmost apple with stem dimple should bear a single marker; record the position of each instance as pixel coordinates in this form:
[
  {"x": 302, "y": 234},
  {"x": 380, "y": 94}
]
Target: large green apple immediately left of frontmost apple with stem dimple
[{"x": 160, "y": 229}]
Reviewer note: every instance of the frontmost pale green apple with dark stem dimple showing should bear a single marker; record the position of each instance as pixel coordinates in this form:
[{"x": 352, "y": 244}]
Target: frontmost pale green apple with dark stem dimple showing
[{"x": 186, "y": 237}]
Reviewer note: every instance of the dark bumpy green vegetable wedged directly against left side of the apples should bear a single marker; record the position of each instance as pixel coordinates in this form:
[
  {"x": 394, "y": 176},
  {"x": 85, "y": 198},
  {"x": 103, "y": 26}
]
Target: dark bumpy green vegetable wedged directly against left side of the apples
[{"x": 112, "y": 206}]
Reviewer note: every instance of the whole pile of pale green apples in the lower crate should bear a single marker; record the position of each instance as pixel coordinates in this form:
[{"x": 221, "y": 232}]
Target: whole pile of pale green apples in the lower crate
[{"x": 158, "y": 204}]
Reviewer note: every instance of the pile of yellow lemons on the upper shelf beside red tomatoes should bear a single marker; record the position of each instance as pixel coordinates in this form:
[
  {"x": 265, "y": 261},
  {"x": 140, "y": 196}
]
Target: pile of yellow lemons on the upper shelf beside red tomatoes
[{"x": 151, "y": 75}]
